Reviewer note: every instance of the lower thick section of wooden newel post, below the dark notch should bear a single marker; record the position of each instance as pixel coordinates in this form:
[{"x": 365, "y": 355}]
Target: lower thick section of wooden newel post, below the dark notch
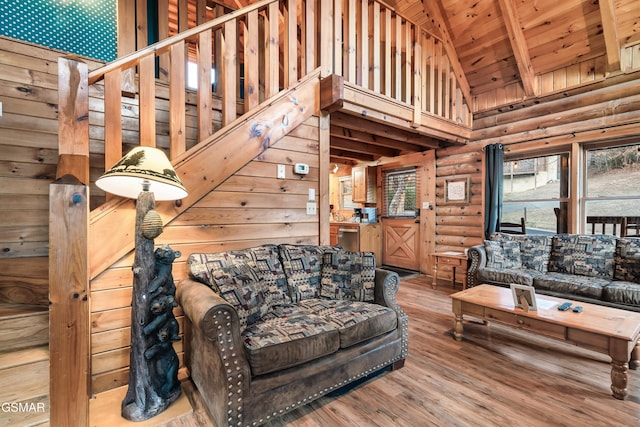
[{"x": 69, "y": 309}]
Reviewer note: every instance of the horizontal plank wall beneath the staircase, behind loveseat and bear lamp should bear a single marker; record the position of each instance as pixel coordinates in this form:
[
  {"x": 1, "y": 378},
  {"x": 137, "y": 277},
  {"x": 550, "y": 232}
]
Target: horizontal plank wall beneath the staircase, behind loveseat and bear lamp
[{"x": 251, "y": 208}]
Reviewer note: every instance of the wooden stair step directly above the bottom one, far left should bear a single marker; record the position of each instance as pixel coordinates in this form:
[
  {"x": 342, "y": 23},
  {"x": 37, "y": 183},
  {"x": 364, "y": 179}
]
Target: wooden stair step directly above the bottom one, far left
[{"x": 23, "y": 326}]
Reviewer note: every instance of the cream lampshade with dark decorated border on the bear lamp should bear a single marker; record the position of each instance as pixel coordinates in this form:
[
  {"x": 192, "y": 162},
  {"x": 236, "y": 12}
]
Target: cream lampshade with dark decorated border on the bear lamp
[{"x": 143, "y": 167}]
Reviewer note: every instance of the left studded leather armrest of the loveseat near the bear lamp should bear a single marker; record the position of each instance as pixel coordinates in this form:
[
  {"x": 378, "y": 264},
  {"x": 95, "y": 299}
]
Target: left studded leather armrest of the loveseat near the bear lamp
[{"x": 216, "y": 358}]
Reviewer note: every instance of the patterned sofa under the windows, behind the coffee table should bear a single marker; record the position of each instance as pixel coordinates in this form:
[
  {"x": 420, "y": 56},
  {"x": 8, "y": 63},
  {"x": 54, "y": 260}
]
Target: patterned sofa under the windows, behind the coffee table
[{"x": 601, "y": 269}]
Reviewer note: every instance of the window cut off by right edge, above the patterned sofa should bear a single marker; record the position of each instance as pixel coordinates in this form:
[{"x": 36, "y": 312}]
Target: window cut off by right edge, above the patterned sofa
[{"x": 611, "y": 185}]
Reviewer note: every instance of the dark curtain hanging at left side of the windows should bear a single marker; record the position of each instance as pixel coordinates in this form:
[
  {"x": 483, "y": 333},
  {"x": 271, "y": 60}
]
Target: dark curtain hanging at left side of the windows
[{"x": 494, "y": 162}]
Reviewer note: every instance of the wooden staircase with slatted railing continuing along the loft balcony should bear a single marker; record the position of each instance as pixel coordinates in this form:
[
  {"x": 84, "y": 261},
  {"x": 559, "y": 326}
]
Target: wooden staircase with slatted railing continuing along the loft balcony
[{"x": 285, "y": 49}]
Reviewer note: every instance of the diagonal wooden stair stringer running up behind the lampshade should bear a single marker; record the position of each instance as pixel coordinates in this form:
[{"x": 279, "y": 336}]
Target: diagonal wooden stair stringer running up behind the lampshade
[{"x": 205, "y": 167}]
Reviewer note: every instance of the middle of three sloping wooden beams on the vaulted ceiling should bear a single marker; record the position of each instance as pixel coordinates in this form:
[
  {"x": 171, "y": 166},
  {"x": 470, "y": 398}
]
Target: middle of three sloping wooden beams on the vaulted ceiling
[{"x": 519, "y": 46}]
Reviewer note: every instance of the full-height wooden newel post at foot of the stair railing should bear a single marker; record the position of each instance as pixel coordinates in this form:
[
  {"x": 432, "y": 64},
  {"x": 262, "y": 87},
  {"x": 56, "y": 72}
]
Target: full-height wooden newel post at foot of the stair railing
[{"x": 69, "y": 309}]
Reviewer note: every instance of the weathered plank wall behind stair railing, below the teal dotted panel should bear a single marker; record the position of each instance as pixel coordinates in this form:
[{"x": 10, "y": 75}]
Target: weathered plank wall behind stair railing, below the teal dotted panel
[{"x": 29, "y": 147}]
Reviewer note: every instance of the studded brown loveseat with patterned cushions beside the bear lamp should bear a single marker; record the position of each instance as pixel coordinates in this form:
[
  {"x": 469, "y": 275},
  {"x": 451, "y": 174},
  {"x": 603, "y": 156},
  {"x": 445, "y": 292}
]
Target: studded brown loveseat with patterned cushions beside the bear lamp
[{"x": 276, "y": 327}]
